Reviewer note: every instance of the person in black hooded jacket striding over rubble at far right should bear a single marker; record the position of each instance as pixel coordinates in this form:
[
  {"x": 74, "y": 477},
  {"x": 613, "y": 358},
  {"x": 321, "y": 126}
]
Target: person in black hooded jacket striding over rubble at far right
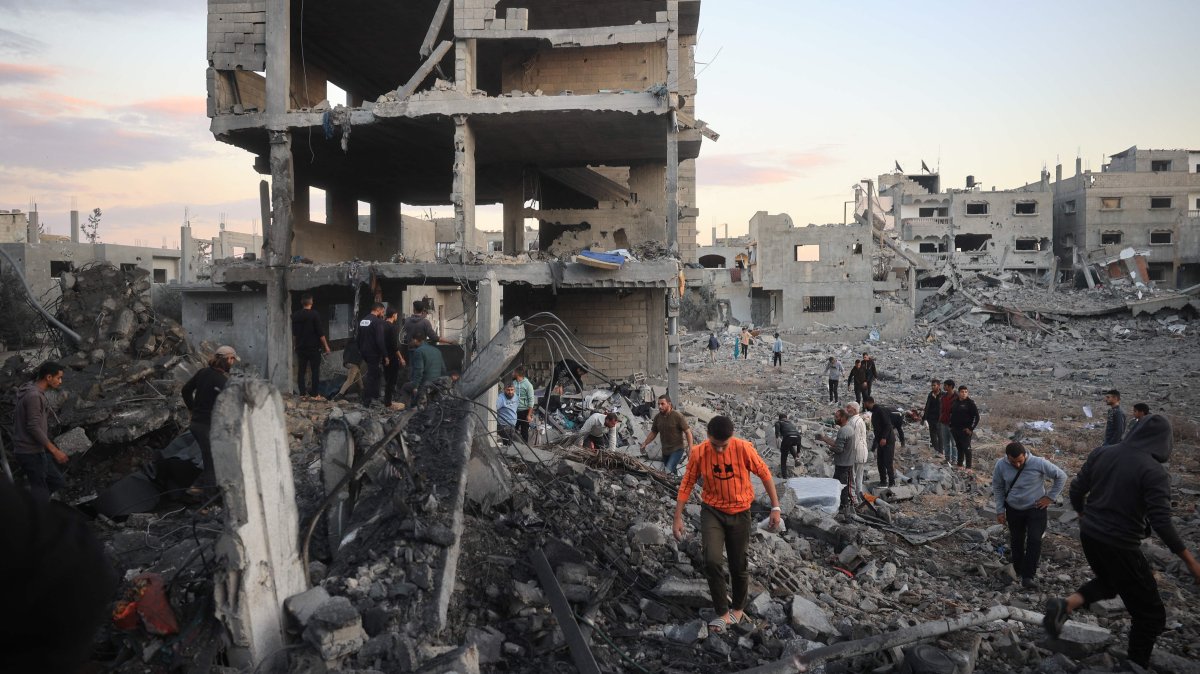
[{"x": 1120, "y": 490}]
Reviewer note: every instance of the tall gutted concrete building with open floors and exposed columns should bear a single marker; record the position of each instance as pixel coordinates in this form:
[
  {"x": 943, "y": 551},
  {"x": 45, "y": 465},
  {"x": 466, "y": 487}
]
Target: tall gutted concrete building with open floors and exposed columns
[{"x": 578, "y": 117}]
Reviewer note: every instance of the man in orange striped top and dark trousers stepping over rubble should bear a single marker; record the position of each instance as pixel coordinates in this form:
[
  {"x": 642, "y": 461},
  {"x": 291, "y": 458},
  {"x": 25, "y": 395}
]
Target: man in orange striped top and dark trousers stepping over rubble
[{"x": 725, "y": 465}]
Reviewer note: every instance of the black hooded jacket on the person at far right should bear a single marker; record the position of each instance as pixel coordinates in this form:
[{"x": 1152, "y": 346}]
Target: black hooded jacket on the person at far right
[{"x": 1124, "y": 488}]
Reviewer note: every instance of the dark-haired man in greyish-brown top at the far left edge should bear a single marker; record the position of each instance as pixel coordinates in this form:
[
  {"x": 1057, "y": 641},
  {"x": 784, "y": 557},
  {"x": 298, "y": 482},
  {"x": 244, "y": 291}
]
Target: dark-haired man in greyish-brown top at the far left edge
[{"x": 32, "y": 442}]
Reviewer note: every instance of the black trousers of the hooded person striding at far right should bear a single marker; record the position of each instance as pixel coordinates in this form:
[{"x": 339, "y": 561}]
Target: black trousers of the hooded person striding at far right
[{"x": 1126, "y": 574}]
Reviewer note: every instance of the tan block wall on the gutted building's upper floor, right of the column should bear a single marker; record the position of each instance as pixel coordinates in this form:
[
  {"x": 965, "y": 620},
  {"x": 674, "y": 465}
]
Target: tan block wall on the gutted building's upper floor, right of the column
[{"x": 586, "y": 70}]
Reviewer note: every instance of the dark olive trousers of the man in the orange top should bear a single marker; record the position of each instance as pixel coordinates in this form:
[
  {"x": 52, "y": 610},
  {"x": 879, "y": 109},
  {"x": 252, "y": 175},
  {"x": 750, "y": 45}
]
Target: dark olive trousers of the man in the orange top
[{"x": 722, "y": 532}]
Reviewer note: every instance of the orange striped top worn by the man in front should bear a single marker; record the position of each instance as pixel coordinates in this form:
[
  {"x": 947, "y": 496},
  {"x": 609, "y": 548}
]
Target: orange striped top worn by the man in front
[{"x": 727, "y": 476}]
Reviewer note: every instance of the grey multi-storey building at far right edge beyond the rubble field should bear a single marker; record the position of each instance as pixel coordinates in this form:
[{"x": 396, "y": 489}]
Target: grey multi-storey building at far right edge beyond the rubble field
[{"x": 1142, "y": 200}]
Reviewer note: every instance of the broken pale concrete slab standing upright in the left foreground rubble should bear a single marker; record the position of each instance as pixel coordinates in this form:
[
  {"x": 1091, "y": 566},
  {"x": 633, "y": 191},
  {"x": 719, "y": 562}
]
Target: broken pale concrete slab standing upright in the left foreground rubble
[{"x": 259, "y": 555}]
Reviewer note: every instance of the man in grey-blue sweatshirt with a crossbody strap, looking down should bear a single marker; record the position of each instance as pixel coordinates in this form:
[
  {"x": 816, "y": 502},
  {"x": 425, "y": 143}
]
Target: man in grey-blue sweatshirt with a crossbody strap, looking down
[{"x": 1019, "y": 485}]
